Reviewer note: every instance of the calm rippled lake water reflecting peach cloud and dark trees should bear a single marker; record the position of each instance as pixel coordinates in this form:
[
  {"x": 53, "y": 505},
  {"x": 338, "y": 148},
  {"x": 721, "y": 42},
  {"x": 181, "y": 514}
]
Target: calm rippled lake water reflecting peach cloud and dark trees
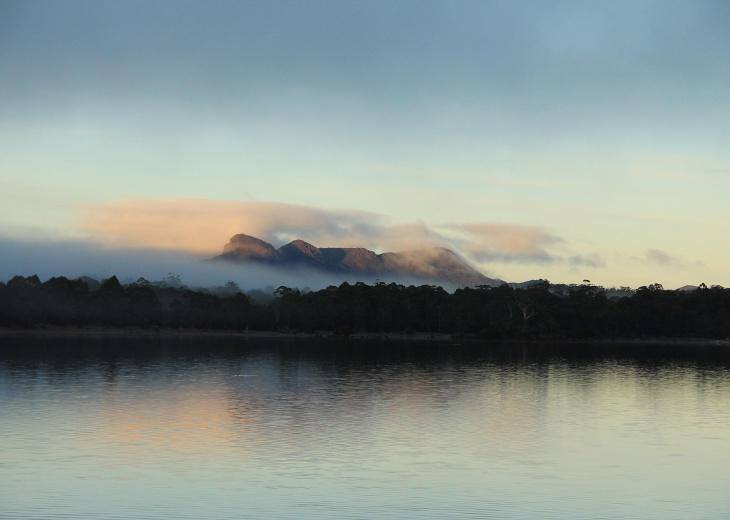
[{"x": 223, "y": 429}]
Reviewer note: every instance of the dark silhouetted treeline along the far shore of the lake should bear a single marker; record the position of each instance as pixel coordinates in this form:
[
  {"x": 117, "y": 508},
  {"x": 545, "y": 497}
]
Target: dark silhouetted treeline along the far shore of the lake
[{"x": 538, "y": 310}]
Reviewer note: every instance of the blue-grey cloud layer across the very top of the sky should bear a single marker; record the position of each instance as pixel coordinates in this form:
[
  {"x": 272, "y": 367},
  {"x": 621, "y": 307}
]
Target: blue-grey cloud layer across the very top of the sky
[{"x": 554, "y": 61}]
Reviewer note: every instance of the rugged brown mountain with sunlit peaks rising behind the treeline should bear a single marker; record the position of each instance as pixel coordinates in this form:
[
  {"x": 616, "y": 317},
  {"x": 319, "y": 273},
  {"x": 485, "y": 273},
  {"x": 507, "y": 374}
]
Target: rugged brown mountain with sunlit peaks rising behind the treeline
[{"x": 435, "y": 265}]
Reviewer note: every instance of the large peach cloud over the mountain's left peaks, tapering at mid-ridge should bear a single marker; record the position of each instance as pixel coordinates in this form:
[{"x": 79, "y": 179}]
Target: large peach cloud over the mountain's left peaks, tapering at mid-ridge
[{"x": 203, "y": 226}]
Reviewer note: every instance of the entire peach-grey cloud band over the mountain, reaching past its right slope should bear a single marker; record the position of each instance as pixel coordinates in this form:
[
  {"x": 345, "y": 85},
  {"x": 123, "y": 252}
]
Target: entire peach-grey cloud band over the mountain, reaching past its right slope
[{"x": 203, "y": 226}]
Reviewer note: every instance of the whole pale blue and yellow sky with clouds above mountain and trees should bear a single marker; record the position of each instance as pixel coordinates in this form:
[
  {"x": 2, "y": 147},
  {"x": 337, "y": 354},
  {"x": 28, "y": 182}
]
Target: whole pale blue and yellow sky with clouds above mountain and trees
[{"x": 536, "y": 139}]
